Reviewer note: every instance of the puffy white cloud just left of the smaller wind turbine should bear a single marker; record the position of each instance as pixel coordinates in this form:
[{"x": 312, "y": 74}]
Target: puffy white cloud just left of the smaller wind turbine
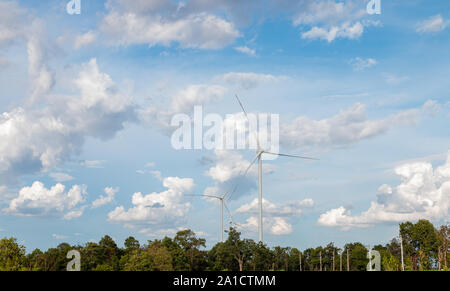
[{"x": 156, "y": 209}]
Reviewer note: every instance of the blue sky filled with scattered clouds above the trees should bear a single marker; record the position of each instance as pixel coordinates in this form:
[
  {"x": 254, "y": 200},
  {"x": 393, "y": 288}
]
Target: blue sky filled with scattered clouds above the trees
[{"x": 86, "y": 100}]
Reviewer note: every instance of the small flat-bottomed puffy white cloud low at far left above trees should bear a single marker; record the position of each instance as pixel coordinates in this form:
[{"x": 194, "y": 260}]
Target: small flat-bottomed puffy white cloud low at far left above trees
[{"x": 37, "y": 200}]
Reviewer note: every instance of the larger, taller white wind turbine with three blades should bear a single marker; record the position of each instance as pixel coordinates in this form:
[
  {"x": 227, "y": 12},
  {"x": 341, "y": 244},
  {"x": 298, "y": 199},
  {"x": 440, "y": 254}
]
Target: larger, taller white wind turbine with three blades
[{"x": 259, "y": 152}]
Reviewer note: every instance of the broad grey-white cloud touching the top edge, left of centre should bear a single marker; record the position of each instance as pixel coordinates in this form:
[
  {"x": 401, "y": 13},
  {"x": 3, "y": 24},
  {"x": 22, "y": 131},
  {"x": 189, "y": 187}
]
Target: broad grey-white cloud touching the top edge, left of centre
[{"x": 158, "y": 23}]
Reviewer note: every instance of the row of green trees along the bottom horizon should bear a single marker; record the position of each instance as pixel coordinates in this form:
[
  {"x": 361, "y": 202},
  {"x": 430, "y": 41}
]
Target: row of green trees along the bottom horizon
[{"x": 424, "y": 248}]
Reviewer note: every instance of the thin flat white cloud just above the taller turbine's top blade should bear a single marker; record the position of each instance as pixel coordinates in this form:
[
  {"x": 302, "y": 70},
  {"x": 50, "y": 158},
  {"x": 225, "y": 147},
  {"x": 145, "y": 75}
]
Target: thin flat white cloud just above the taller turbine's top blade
[{"x": 247, "y": 80}]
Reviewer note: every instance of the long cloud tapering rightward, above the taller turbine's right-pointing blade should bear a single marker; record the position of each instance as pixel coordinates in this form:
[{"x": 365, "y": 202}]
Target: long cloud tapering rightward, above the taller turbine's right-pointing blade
[{"x": 347, "y": 127}]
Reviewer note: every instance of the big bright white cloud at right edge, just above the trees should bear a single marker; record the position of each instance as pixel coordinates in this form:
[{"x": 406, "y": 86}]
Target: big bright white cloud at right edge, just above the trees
[{"x": 423, "y": 194}]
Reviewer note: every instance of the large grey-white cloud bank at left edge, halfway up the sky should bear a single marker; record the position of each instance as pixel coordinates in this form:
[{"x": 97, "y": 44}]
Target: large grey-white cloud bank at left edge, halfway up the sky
[{"x": 56, "y": 131}]
